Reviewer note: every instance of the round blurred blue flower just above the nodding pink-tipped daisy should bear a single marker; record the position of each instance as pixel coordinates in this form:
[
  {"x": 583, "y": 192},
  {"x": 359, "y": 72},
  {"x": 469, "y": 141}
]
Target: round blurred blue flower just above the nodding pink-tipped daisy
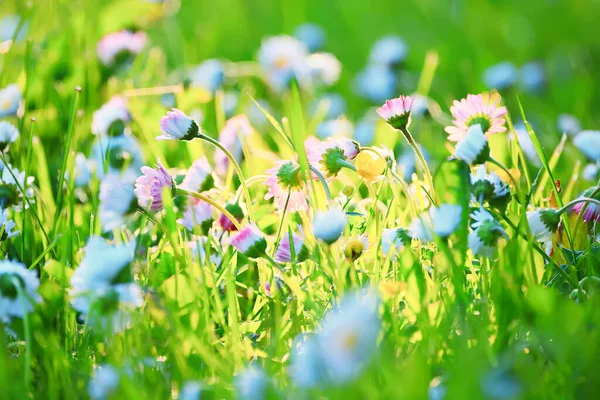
[{"x": 376, "y": 83}]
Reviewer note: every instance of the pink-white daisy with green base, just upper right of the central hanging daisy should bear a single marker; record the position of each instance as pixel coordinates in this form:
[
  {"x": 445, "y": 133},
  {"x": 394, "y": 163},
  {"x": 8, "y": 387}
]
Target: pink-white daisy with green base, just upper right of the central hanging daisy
[{"x": 331, "y": 155}]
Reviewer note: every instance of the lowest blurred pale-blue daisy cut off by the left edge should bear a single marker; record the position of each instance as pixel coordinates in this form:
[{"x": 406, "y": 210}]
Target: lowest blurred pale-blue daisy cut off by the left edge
[{"x": 16, "y": 303}]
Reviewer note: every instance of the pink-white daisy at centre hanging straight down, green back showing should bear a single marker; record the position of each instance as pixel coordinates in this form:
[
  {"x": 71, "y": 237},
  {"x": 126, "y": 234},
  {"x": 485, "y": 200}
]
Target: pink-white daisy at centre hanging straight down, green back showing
[{"x": 286, "y": 187}]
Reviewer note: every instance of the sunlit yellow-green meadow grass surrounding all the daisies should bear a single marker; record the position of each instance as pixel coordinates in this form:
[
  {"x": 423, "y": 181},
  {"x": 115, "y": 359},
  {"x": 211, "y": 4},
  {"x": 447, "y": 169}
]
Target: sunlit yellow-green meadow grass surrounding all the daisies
[{"x": 522, "y": 323}]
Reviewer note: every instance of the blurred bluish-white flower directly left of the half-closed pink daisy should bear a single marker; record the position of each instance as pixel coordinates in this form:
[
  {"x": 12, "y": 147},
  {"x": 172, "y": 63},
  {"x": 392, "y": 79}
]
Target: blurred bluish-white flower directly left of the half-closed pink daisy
[{"x": 116, "y": 201}]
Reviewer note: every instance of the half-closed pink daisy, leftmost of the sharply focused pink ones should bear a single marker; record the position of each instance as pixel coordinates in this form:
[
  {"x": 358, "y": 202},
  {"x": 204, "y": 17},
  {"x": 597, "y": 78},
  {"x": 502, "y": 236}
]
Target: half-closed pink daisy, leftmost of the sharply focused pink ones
[{"x": 149, "y": 186}]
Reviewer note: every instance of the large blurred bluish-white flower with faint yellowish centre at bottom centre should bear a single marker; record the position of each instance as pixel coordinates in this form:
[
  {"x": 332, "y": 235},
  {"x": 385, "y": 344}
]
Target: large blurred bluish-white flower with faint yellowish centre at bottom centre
[{"x": 348, "y": 338}]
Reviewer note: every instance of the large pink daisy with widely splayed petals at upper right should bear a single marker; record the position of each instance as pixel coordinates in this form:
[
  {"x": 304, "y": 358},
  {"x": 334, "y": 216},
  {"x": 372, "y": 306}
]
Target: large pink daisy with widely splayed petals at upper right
[{"x": 482, "y": 109}]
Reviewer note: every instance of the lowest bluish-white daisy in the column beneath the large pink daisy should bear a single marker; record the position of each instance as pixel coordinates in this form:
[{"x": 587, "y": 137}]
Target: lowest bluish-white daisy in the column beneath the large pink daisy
[{"x": 483, "y": 239}]
